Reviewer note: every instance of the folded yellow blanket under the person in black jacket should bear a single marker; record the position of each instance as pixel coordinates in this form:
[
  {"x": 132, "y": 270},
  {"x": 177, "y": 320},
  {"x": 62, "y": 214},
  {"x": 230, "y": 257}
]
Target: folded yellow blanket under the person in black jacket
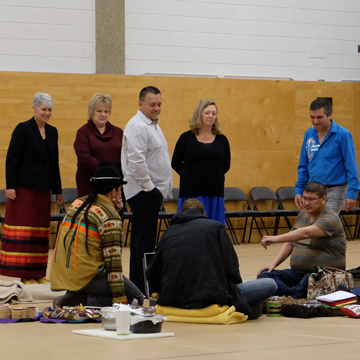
[{"x": 214, "y": 314}]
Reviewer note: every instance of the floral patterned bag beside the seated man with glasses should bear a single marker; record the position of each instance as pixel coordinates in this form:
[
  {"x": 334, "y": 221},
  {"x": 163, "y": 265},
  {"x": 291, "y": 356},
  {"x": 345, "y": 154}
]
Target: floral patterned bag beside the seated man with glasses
[{"x": 325, "y": 281}]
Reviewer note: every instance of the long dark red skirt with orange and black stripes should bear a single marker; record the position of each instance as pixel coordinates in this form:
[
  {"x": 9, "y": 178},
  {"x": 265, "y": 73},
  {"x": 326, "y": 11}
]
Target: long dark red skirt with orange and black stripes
[{"x": 25, "y": 242}]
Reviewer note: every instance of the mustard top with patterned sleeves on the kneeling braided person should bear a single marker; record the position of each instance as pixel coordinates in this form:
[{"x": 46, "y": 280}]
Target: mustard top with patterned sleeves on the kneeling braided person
[{"x": 74, "y": 267}]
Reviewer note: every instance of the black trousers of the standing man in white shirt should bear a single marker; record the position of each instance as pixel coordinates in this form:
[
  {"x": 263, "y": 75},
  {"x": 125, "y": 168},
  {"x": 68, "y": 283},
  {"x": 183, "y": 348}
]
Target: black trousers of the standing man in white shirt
[{"x": 145, "y": 207}]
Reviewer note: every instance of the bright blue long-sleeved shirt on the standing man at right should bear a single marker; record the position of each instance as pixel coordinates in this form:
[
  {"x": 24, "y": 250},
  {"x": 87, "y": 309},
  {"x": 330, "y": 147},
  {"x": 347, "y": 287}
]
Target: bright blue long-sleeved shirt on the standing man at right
[{"x": 333, "y": 162}]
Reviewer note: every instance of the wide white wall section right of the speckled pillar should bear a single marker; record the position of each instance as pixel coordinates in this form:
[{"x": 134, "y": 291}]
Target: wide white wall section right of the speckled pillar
[{"x": 302, "y": 40}]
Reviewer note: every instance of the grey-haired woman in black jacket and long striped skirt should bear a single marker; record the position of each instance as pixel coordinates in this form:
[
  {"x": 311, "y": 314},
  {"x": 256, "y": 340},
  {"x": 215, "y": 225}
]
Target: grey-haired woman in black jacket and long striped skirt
[{"x": 32, "y": 174}]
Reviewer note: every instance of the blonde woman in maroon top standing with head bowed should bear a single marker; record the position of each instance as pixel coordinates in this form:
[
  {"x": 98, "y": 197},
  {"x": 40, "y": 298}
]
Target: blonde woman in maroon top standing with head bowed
[{"x": 96, "y": 142}]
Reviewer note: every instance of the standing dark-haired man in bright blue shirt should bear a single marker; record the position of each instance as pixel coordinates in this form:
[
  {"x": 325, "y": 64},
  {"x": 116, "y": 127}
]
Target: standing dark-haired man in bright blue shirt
[{"x": 328, "y": 156}]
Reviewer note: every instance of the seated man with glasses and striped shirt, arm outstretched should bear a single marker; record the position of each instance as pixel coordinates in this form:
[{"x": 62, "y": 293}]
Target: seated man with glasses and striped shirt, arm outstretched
[{"x": 316, "y": 239}]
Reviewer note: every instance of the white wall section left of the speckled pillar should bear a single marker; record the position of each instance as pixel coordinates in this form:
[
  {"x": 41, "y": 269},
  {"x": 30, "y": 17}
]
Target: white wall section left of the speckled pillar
[{"x": 47, "y": 36}]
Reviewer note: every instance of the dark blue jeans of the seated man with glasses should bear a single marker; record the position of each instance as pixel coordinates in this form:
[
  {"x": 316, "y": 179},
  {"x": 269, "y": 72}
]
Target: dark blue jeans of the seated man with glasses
[{"x": 289, "y": 282}]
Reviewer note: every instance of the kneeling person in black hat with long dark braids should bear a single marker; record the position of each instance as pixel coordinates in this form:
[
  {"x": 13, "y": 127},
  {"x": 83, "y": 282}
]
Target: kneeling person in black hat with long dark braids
[{"x": 87, "y": 258}]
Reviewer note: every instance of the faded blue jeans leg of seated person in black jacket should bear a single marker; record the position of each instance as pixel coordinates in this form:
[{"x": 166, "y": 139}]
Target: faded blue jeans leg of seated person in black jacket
[{"x": 256, "y": 291}]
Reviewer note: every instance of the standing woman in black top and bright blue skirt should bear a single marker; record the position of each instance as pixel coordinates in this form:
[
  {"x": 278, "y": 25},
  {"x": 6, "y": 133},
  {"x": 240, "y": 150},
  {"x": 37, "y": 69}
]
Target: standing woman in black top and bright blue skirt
[{"x": 202, "y": 158}]
